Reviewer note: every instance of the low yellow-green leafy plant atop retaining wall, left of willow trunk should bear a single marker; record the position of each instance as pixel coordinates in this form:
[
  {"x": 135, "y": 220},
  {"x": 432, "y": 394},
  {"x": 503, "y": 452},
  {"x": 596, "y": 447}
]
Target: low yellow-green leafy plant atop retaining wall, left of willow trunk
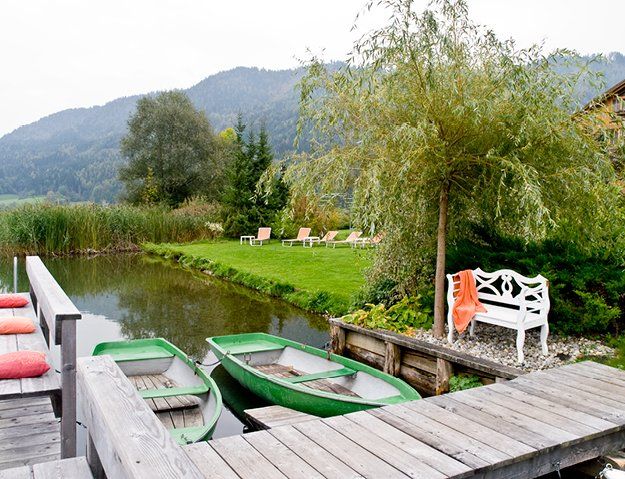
[{"x": 403, "y": 317}]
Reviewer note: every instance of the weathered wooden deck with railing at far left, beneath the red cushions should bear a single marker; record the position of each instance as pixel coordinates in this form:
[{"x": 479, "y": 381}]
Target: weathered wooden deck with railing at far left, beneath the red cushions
[{"x": 30, "y": 432}]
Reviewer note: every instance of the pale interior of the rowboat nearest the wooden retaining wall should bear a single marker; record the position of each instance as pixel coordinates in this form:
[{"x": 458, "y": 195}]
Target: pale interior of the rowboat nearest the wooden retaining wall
[{"x": 316, "y": 372}]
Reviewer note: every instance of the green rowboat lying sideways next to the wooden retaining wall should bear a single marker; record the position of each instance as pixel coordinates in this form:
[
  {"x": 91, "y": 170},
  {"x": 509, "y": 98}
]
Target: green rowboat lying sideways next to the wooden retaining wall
[{"x": 304, "y": 378}]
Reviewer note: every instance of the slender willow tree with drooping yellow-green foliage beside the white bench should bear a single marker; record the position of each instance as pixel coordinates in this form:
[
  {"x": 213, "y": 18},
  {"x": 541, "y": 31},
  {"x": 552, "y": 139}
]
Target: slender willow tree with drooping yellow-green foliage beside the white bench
[{"x": 435, "y": 123}]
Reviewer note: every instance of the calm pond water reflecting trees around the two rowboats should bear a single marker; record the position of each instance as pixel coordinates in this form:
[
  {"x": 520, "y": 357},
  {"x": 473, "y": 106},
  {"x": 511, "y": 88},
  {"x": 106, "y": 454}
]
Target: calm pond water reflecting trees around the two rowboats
[{"x": 138, "y": 296}]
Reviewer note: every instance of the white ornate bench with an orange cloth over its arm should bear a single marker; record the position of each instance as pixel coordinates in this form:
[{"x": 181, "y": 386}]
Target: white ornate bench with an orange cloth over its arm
[{"x": 512, "y": 301}]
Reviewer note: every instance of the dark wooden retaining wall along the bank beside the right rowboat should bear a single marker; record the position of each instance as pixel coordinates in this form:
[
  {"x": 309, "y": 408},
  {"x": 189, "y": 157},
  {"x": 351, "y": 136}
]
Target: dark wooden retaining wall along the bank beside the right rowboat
[{"x": 427, "y": 367}]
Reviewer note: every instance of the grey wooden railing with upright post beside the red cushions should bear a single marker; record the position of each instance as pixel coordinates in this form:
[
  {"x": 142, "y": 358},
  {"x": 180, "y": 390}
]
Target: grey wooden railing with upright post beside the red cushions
[{"x": 57, "y": 316}]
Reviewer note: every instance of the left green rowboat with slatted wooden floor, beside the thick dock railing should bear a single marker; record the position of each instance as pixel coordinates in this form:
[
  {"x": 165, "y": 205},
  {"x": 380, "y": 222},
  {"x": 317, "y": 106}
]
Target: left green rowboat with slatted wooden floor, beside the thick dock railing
[{"x": 183, "y": 397}]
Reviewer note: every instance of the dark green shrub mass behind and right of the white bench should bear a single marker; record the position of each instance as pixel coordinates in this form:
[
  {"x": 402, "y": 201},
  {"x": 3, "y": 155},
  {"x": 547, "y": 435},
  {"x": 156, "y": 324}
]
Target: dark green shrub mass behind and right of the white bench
[{"x": 587, "y": 292}]
